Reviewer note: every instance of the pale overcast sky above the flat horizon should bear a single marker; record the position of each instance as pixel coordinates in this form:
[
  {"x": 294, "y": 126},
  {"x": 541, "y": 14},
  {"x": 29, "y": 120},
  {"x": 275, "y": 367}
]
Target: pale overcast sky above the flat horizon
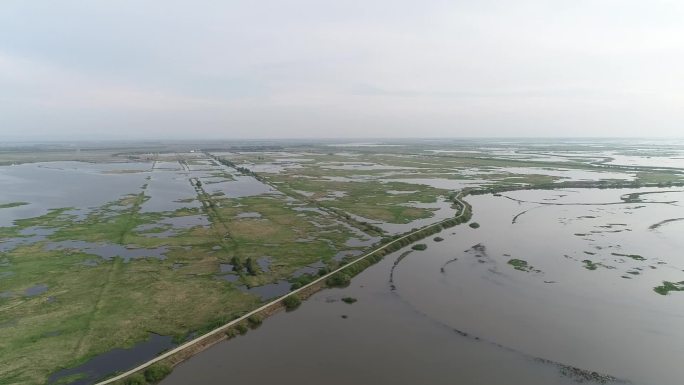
[{"x": 173, "y": 69}]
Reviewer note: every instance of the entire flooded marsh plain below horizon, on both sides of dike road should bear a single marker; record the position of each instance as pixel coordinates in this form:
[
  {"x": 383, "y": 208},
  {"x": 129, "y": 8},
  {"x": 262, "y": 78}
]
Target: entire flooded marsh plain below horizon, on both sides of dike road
[{"x": 568, "y": 270}]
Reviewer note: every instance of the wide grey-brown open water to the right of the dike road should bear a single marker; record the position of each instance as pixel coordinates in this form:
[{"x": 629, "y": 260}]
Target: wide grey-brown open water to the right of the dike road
[{"x": 460, "y": 313}]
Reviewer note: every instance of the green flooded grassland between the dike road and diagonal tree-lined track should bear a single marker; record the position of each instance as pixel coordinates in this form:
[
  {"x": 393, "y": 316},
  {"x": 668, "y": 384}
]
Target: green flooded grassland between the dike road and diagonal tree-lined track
[{"x": 93, "y": 253}]
